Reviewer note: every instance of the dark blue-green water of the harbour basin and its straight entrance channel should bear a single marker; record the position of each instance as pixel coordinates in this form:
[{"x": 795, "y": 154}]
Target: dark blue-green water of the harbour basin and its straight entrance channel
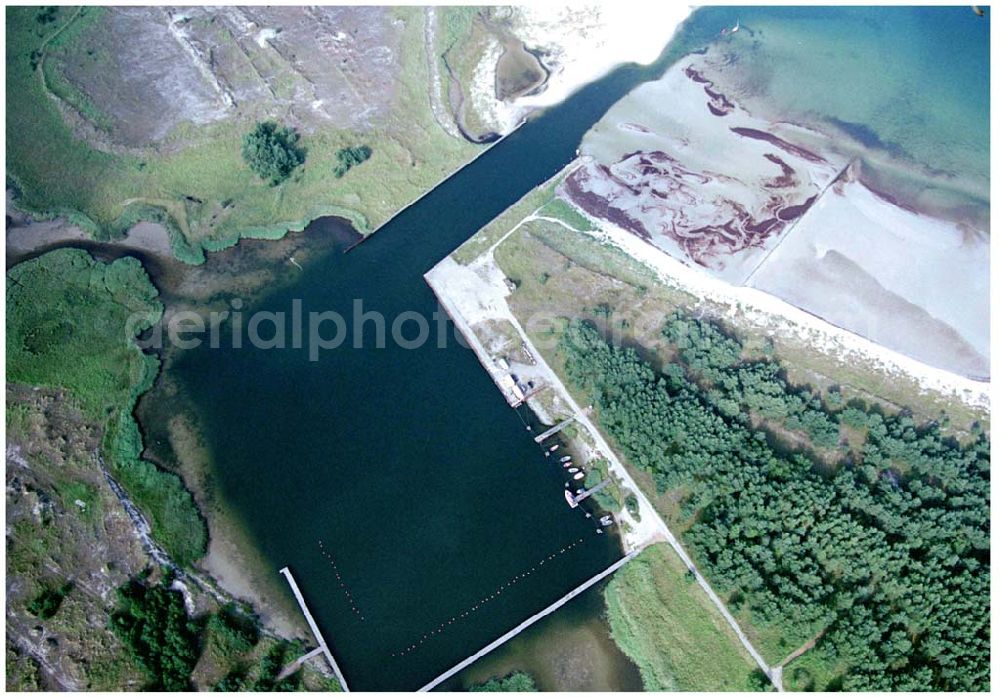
[{"x": 407, "y": 465}]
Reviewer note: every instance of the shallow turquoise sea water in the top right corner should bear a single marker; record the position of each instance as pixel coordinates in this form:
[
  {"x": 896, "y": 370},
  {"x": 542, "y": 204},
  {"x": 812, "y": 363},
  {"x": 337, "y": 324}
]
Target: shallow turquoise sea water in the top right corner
[{"x": 910, "y": 84}]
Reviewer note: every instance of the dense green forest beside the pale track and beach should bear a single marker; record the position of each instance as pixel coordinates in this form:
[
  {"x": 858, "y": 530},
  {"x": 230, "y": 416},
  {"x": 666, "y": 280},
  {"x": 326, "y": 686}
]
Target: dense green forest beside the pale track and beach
[{"x": 812, "y": 515}]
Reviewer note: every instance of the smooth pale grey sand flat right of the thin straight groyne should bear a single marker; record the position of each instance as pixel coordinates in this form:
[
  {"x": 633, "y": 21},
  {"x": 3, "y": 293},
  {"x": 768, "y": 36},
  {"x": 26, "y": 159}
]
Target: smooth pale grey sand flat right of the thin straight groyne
[{"x": 905, "y": 280}]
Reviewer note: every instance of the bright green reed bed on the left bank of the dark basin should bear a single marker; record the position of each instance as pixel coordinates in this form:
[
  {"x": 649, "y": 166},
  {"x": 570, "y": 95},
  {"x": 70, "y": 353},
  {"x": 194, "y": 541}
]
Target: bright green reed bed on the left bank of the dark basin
[{"x": 71, "y": 324}]
